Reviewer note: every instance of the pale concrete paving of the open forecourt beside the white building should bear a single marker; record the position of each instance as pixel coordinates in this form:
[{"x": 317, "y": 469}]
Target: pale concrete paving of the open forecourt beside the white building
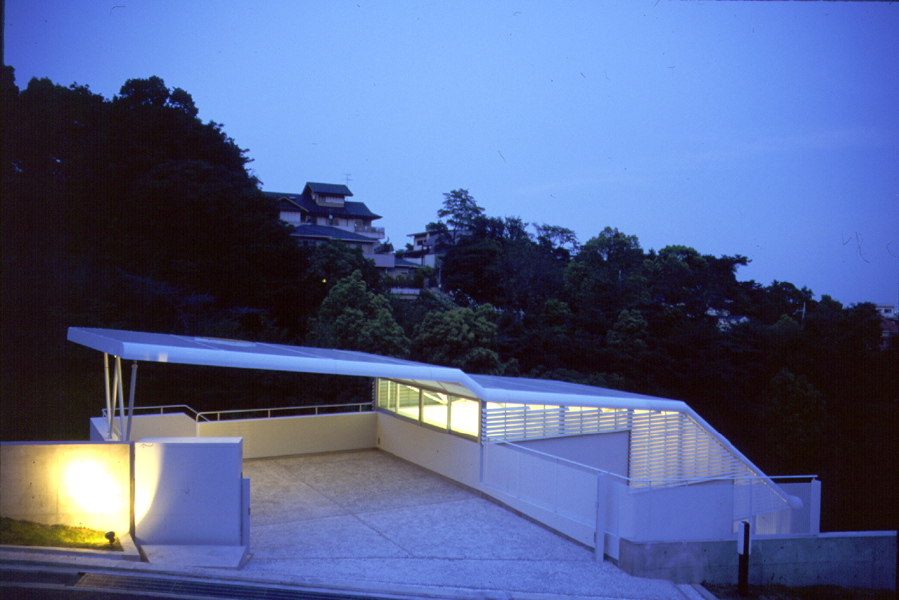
[{"x": 372, "y": 522}]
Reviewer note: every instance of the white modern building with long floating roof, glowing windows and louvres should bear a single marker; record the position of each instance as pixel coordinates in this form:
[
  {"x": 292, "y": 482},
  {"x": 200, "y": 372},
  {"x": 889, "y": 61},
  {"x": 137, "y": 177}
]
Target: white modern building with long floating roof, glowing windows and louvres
[{"x": 603, "y": 467}]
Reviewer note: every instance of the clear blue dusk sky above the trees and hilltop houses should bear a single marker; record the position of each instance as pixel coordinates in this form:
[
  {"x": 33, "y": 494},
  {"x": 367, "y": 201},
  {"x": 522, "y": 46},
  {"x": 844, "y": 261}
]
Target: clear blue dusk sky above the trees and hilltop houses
[{"x": 767, "y": 129}]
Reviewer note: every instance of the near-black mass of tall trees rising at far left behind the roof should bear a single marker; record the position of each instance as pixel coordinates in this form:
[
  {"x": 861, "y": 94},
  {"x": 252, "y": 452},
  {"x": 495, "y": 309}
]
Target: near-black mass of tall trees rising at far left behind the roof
[{"x": 82, "y": 177}]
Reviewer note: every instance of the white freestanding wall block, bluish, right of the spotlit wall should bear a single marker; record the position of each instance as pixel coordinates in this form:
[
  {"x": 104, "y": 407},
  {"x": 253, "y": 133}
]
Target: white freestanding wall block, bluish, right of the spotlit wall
[{"x": 188, "y": 491}]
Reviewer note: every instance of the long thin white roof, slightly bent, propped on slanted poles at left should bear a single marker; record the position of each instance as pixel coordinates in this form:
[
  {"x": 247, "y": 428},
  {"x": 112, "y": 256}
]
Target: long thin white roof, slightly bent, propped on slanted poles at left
[{"x": 215, "y": 352}]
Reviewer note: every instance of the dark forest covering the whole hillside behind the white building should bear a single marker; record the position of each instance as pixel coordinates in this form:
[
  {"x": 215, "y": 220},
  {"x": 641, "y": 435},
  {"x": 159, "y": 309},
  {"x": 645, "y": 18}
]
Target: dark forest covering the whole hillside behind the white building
[{"x": 131, "y": 213}]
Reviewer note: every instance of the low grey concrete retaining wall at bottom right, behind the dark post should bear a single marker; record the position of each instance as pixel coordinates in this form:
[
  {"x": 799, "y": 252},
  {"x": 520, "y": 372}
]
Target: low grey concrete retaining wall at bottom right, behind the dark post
[{"x": 851, "y": 559}]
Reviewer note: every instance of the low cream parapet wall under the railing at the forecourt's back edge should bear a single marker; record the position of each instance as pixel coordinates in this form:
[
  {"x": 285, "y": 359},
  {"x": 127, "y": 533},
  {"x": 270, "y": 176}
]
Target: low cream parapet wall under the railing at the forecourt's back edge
[{"x": 285, "y": 436}]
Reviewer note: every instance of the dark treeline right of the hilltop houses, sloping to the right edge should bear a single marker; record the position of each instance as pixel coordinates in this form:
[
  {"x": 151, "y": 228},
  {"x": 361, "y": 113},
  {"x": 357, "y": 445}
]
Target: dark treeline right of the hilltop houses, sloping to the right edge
[{"x": 801, "y": 386}]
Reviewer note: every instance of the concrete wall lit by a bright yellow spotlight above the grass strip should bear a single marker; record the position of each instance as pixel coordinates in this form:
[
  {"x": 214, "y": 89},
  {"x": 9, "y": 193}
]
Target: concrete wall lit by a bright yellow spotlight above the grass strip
[{"x": 76, "y": 483}]
